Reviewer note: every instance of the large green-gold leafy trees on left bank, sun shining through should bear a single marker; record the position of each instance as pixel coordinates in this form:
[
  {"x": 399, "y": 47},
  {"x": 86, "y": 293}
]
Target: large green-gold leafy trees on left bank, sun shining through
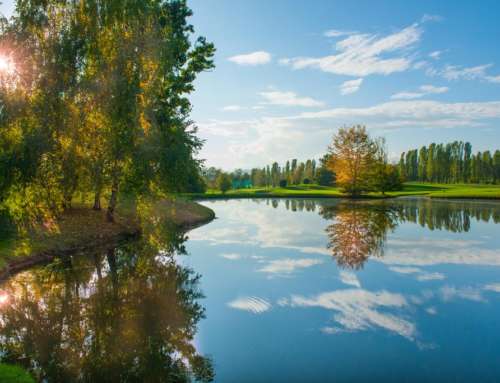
[{"x": 94, "y": 100}]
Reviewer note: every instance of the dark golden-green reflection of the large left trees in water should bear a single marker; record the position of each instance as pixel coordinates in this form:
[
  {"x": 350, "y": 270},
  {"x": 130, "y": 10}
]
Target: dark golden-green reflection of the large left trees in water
[{"x": 129, "y": 314}]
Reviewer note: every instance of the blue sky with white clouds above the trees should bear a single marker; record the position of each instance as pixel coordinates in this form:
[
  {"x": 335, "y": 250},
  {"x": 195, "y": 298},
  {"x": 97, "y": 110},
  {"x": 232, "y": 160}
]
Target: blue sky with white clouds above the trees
[{"x": 289, "y": 73}]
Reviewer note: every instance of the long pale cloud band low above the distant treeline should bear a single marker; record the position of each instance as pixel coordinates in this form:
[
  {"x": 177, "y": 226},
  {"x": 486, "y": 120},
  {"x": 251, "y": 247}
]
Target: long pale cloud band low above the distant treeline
[{"x": 261, "y": 140}]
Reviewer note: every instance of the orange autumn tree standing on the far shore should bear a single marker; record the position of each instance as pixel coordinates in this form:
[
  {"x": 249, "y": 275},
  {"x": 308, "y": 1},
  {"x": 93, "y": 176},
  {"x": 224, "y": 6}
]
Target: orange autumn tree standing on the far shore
[{"x": 353, "y": 154}]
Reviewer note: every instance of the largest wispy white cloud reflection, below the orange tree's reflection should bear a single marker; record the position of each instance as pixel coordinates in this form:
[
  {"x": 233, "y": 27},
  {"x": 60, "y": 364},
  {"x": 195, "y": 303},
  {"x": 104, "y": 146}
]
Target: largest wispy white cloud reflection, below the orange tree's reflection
[{"x": 358, "y": 309}]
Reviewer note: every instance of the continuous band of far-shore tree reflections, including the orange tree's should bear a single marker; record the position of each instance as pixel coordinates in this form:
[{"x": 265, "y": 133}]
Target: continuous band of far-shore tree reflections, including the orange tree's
[{"x": 359, "y": 229}]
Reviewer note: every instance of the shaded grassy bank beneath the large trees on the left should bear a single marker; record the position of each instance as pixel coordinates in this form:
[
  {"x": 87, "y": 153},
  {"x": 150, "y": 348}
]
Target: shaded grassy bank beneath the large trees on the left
[{"x": 82, "y": 228}]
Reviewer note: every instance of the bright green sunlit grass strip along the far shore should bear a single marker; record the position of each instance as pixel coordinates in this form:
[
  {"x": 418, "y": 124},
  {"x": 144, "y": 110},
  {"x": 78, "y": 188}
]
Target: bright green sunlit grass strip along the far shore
[{"x": 316, "y": 191}]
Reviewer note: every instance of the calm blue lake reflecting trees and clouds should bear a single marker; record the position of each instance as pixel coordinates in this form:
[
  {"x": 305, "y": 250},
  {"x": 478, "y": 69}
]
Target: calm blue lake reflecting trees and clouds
[{"x": 290, "y": 290}]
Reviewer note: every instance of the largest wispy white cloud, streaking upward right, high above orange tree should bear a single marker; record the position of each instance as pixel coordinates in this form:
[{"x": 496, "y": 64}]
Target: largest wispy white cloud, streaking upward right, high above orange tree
[{"x": 365, "y": 54}]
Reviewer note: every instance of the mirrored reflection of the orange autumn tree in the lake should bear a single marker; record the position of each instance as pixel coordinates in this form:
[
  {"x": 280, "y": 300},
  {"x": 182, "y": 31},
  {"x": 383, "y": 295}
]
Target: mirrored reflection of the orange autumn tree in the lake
[{"x": 359, "y": 231}]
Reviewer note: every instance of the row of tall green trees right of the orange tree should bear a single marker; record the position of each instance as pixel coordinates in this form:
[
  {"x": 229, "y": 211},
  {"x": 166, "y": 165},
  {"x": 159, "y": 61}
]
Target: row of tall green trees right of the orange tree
[{"x": 450, "y": 163}]
